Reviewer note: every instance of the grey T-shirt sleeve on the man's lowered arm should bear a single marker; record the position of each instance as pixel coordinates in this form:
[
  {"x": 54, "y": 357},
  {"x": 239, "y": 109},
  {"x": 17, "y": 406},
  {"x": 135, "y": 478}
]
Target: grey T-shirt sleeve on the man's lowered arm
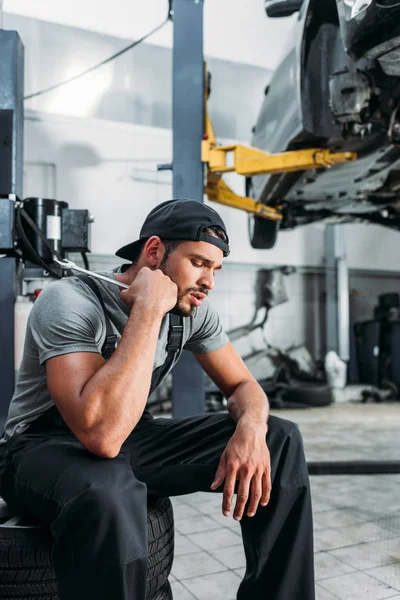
[{"x": 207, "y": 334}]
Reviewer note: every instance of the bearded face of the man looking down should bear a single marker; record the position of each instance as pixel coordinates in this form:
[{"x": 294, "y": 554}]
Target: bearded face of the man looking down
[{"x": 192, "y": 266}]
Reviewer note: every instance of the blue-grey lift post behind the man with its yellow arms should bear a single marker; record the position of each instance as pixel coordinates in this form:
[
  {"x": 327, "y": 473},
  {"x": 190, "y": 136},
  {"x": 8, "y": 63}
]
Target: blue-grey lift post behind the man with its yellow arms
[{"x": 195, "y": 148}]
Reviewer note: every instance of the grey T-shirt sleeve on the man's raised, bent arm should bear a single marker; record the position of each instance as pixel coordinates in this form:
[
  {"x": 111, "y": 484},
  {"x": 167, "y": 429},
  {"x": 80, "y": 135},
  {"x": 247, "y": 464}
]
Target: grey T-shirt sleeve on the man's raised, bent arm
[{"x": 65, "y": 319}]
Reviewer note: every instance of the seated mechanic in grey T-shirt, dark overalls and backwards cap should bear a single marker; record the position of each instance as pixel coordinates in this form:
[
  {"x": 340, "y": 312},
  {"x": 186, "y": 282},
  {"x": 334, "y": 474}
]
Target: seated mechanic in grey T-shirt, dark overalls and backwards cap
[{"x": 82, "y": 452}]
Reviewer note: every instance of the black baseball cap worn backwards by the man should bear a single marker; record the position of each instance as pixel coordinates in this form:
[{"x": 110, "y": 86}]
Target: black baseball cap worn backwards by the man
[{"x": 178, "y": 220}]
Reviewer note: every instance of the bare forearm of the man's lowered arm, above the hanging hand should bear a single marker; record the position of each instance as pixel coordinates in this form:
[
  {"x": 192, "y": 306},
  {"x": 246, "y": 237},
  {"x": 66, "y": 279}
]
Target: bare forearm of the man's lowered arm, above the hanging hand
[{"x": 249, "y": 403}]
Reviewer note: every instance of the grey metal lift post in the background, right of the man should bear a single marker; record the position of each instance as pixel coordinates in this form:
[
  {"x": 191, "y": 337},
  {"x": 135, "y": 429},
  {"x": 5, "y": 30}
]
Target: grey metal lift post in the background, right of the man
[{"x": 337, "y": 292}]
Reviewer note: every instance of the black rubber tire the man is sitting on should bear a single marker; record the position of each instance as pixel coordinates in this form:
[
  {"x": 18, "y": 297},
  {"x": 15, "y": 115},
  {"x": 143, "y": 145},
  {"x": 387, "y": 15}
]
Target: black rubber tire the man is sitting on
[{"x": 26, "y": 570}]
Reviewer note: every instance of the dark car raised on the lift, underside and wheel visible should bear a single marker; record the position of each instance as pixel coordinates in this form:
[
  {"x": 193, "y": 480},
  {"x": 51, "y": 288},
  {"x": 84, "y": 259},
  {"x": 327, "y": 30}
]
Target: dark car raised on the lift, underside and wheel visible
[{"x": 337, "y": 87}]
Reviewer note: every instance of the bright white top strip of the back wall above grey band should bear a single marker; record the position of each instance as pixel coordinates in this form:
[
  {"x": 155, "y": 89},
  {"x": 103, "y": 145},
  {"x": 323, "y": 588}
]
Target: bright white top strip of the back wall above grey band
[{"x": 233, "y": 29}]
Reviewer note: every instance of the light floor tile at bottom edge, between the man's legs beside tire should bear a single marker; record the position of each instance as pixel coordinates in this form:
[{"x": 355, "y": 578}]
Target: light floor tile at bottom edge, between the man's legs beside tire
[{"x": 220, "y": 586}]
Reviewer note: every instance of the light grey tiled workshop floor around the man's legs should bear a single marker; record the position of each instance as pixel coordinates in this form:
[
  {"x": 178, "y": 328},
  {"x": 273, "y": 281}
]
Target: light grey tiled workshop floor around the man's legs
[{"x": 357, "y": 519}]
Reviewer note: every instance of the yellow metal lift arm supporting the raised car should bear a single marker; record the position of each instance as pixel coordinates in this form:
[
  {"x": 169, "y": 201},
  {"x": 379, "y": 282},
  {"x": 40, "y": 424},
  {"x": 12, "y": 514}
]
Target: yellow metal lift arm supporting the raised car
[{"x": 251, "y": 161}]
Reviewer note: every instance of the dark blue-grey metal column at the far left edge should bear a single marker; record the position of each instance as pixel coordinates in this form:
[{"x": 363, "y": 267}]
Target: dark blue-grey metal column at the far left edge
[{"x": 11, "y": 172}]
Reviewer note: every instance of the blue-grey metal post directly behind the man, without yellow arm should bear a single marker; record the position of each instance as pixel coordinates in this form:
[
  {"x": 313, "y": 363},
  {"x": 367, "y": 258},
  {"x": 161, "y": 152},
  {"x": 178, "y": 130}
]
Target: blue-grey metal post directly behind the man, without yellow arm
[{"x": 188, "y": 173}]
